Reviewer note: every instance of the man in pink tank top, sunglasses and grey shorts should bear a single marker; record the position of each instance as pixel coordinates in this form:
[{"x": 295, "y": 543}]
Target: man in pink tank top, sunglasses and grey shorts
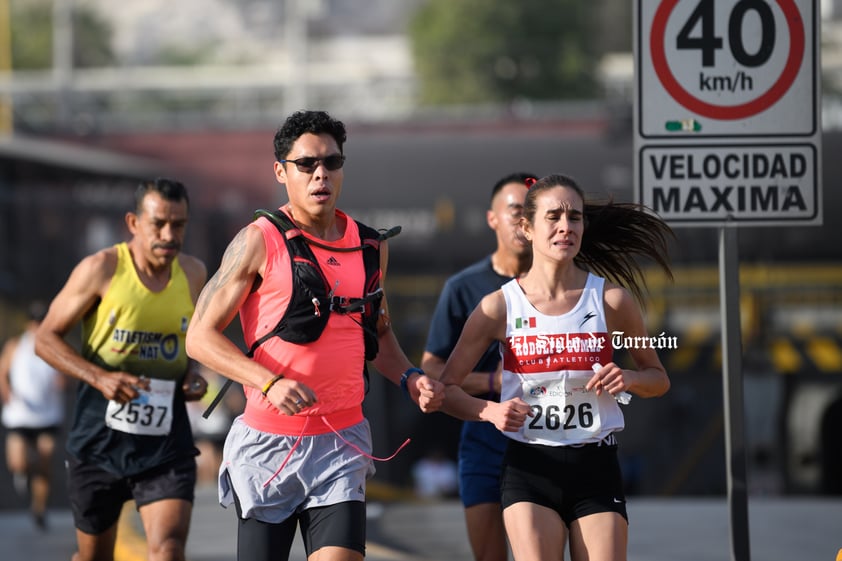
[{"x": 300, "y": 454}]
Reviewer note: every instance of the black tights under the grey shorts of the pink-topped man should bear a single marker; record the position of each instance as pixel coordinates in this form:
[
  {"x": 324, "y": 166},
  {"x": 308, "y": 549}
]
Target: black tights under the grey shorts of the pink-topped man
[{"x": 337, "y": 525}]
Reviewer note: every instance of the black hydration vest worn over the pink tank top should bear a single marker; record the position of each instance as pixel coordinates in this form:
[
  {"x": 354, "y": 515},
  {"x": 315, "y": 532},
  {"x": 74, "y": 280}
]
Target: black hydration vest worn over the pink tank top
[{"x": 312, "y": 299}]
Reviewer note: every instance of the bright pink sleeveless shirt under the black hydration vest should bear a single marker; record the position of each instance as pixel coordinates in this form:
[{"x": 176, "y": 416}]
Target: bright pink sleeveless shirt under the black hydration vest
[{"x": 331, "y": 366}]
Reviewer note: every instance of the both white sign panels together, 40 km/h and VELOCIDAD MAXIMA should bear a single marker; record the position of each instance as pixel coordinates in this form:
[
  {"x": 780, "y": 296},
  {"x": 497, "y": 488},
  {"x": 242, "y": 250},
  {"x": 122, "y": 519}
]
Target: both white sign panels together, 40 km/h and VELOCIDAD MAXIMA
[{"x": 727, "y": 120}]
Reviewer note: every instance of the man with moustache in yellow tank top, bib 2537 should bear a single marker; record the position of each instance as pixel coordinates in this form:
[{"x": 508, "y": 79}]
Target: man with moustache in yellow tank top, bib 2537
[{"x": 130, "y": 438}]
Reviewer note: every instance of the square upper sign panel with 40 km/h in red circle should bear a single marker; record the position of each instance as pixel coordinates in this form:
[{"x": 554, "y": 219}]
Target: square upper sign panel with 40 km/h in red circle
[{"x": 733, "y": 67}]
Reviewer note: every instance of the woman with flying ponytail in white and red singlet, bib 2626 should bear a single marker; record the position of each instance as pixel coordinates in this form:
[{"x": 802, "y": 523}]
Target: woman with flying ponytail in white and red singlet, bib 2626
[{"x": 561, "y": 480}]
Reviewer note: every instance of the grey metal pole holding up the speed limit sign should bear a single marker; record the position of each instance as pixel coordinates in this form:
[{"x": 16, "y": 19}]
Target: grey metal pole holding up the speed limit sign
[{"x": 732, "y": 392}]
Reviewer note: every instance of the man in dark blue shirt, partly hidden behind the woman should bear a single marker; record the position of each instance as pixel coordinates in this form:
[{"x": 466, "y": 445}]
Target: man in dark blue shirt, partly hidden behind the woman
[{"x": 481, "y": 445}]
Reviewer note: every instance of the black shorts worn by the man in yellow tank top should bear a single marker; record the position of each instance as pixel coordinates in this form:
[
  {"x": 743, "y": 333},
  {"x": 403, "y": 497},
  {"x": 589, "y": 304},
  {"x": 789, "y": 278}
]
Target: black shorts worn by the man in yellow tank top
[{"x": 97, "y": 496}]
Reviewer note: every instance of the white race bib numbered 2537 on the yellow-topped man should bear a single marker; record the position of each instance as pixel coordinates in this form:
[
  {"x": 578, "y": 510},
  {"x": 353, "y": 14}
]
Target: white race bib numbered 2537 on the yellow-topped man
[{"x": 149, "y": 414}]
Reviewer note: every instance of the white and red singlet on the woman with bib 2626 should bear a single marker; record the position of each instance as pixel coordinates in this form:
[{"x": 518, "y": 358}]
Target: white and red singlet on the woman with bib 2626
[{"x": 547, "y": 362}]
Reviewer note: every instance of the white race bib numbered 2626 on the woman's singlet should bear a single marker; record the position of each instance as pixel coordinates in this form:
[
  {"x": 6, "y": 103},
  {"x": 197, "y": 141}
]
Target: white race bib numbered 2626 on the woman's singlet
[{"x": 563, "y": 412}]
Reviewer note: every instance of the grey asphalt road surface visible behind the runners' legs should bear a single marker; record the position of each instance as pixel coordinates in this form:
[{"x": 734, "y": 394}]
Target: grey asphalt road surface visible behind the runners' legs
[{"x": 662, "y": 529}]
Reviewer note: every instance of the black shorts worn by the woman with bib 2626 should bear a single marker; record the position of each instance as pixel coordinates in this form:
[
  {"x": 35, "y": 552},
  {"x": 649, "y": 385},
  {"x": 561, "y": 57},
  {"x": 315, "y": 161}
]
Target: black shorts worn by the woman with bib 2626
[{"x": 573, "y": 481}]
